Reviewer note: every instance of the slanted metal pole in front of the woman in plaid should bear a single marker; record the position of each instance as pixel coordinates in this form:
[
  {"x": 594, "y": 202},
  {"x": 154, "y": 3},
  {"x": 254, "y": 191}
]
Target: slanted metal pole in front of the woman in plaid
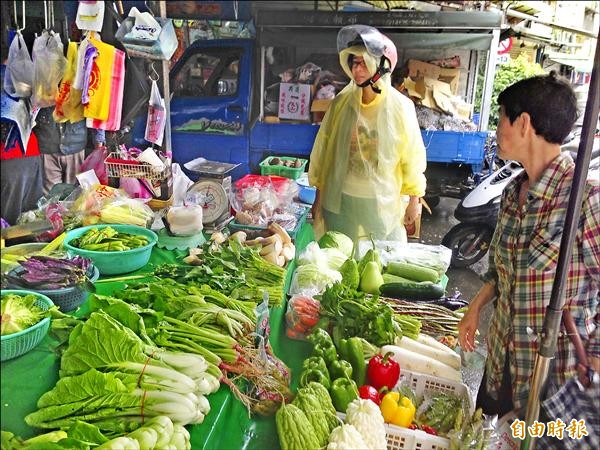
[{"x": 557, "y": 298}]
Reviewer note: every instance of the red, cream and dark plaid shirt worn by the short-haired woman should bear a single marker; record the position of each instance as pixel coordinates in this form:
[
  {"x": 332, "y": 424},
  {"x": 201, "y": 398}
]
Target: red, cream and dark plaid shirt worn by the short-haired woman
[{"x": 523, "y": 260}]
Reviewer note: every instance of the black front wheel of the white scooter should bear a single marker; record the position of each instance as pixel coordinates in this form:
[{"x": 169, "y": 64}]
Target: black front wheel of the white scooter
[{"x": 469, "y": 243}]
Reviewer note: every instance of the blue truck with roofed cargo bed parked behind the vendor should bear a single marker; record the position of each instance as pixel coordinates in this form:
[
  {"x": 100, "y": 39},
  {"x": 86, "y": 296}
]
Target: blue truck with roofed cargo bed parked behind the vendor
[{"x": 219, "y": 103}]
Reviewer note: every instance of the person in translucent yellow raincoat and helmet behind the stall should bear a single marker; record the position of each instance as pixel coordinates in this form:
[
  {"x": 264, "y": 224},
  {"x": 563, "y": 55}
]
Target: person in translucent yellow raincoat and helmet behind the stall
[{"x": 368, "y": 156}]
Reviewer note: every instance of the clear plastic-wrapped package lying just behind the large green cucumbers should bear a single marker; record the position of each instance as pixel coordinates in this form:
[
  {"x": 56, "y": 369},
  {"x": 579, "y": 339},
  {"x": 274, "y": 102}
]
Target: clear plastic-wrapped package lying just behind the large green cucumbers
[{"x": 437, "y": 257}]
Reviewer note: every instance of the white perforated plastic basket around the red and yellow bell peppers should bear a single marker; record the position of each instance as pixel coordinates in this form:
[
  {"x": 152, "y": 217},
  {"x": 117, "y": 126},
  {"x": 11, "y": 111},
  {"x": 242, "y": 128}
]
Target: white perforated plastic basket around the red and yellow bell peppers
[{"x": 399, "y": 438}]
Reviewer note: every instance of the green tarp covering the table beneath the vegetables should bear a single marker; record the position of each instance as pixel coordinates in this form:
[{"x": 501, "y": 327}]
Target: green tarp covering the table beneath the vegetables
[{"x": 227, "y": 426}]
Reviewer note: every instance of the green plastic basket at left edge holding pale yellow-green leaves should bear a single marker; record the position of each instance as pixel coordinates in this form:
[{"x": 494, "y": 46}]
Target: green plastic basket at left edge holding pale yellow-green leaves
[{"x": 17, "y": 344}]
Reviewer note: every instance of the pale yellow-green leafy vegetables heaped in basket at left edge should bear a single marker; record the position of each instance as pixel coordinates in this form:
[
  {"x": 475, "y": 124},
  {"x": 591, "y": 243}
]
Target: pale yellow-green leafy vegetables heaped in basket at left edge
[{"x": 19, "y": 312}]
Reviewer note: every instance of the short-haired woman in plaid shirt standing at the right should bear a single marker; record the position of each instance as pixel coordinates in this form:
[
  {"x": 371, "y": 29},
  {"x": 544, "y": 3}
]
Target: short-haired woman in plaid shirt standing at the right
[{"x": 536, "y": 115}]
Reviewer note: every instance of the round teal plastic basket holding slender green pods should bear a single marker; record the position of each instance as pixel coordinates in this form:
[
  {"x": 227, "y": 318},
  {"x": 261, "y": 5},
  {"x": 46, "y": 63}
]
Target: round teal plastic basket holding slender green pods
[{"x": 115, "y": 263}]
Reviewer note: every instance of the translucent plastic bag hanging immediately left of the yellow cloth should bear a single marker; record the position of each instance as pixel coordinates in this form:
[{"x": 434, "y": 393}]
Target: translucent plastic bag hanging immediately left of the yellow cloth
[{"x": 48, "y": 68}]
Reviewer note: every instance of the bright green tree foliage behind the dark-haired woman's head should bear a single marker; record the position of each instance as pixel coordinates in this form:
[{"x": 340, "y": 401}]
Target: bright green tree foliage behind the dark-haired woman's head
[{"x": 506, "y": 74}]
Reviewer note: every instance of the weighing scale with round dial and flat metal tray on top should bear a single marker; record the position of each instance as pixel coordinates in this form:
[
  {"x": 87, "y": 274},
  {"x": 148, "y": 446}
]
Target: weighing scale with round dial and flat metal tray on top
[{"x": 211, "y": 191}]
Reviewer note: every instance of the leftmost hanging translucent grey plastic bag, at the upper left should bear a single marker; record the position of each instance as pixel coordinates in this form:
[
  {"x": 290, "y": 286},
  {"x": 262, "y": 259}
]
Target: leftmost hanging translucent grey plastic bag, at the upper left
[{"x": 18, "y": 80}]
